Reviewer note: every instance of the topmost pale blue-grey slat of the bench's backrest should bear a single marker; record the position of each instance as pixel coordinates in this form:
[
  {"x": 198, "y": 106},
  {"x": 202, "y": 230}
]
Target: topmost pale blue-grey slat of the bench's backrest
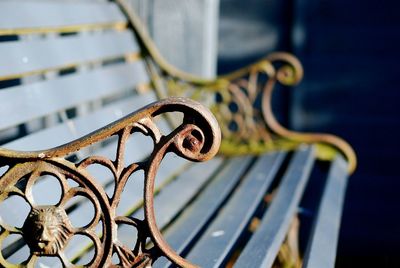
[{"x": 30, "y": 14}]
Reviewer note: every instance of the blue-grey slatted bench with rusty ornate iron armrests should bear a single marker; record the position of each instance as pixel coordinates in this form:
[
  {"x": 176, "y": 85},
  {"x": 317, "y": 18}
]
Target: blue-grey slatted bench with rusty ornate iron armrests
[{"x": 119, "y": 188}]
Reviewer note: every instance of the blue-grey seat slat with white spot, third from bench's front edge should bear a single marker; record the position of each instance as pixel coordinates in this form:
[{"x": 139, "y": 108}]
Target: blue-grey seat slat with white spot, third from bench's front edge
[{"x": 215, "y": 245}]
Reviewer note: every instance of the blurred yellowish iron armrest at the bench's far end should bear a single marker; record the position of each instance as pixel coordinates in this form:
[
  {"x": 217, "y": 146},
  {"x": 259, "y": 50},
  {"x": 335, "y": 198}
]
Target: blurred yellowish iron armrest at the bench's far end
[{"x": 241, "y": 101}]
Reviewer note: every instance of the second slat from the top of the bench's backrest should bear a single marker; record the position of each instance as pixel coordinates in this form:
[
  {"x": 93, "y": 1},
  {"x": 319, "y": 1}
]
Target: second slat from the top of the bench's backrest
[{"x": 19, "y": 58}]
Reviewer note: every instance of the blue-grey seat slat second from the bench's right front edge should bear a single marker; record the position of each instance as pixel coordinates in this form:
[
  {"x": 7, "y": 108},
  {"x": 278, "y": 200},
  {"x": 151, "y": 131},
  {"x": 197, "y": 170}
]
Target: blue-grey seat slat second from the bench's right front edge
[{"x": 264, "y": 245}]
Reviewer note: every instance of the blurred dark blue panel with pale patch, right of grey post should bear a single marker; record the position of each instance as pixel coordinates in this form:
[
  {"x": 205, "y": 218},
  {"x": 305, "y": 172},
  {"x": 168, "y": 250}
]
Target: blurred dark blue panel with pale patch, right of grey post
[{"x": 249, "y": 29}]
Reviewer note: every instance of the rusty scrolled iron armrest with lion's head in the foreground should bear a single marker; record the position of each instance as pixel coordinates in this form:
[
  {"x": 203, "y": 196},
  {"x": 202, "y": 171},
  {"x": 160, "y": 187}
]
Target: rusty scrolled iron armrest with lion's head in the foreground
[{"x": 47, "y": 229}]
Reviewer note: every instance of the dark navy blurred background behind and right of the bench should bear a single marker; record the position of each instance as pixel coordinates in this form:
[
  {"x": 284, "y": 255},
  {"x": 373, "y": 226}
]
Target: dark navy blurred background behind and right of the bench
[{"x": 350, "y": 52}]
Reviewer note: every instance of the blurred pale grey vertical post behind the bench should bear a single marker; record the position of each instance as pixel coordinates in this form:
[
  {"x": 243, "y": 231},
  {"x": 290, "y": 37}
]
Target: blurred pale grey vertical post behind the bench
[{"x": 185, "y": 31}]
